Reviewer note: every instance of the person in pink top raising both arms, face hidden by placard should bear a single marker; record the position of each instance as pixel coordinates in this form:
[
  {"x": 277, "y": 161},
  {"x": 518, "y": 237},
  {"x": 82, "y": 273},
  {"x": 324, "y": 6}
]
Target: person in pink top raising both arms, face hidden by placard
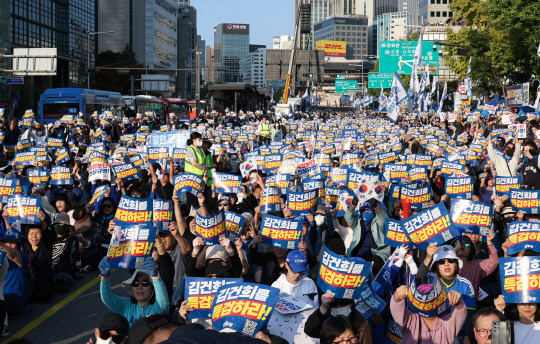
[{"x": 414, "y": 328}]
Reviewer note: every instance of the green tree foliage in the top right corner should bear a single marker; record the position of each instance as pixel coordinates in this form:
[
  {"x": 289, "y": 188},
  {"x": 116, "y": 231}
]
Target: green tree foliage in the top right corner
[{"x": 501, "y": 37}]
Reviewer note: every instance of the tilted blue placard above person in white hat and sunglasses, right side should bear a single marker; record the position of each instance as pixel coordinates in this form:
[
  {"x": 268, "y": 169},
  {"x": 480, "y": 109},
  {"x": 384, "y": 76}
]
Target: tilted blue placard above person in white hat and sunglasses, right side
[{"x": 432, "y": 225}]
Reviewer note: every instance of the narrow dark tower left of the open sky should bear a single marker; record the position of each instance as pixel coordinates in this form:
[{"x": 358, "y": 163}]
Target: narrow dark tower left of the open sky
[{"x": 186, "y": 80}]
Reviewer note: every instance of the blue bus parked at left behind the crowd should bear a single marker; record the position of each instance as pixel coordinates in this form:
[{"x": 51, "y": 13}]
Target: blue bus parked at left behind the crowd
[{"x": 57, "y": 102}]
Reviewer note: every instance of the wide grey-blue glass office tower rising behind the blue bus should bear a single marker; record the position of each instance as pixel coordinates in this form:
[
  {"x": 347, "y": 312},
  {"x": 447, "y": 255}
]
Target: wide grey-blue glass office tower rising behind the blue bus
[{"x": 148, "y": 26}]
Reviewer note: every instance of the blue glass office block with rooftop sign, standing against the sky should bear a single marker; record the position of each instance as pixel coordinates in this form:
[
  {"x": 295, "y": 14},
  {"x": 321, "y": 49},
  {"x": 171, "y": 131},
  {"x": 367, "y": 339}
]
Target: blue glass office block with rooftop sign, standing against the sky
[{"x": 231, "y": 47}]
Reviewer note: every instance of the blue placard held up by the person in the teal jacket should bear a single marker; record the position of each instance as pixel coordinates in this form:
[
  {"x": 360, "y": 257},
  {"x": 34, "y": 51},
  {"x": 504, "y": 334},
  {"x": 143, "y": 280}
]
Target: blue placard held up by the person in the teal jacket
[{"x": 130, "y": 246}]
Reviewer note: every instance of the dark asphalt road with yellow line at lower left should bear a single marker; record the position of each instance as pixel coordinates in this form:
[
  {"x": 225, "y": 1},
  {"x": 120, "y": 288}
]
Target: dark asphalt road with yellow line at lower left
[{"x": 70, "y": 317}]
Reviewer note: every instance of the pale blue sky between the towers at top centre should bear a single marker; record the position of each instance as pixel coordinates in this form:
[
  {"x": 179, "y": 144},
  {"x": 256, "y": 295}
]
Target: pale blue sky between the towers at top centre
[{"x": 266, "y": 18}]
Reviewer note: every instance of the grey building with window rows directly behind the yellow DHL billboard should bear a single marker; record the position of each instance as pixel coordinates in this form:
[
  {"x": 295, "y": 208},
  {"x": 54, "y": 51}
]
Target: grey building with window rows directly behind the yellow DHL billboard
[{"x": 353, "y": 29}]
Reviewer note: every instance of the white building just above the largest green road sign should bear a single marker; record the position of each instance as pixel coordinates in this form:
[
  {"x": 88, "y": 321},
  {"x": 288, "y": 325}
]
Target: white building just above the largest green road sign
[{"x": 395, "y": 26}]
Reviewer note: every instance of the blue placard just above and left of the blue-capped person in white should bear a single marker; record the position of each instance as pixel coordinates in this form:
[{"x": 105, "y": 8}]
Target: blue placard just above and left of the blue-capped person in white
[{"x": 279, "y": 232}]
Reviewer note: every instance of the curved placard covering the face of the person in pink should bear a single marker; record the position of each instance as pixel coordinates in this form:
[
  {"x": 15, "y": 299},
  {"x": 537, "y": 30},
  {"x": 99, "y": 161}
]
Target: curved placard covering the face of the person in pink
[{"x": 429, "y": 304}]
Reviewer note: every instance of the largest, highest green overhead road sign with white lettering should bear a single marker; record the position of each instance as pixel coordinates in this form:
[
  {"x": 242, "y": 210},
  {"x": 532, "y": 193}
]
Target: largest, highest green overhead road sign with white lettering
[{"x": 398, "y": 56}]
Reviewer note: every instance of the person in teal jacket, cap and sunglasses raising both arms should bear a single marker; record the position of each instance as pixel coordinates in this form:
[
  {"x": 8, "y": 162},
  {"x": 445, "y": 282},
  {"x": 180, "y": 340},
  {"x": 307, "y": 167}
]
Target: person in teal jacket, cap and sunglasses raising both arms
[{"x": 148, "y": 293}]
